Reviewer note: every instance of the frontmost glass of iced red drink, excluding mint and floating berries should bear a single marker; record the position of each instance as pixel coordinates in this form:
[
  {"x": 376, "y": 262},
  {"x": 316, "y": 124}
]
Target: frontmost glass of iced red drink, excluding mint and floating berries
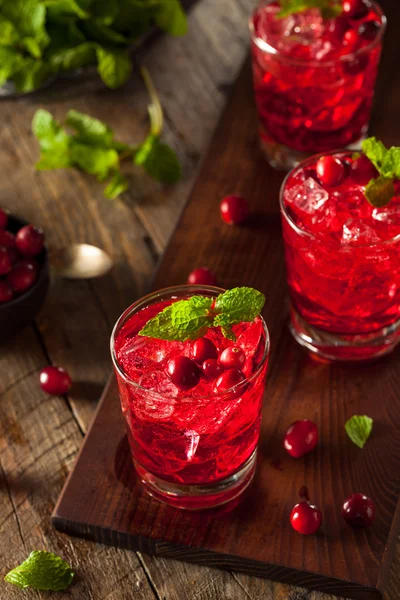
[{"x": 194, "y": 448}]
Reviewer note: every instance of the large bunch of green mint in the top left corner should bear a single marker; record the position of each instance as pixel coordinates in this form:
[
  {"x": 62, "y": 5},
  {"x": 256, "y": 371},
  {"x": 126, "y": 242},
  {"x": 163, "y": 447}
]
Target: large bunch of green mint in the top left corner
[{"x": 39, "y": 38}]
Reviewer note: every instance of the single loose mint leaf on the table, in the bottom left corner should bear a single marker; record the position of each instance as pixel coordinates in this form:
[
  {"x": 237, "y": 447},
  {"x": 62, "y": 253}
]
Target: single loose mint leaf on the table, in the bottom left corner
[{"x": 42, "y": 571}]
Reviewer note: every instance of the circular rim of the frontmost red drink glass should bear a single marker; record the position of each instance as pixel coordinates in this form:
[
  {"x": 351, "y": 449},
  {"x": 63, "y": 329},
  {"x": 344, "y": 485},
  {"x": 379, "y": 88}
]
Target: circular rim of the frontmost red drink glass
[{"x": 159, "y": 294}]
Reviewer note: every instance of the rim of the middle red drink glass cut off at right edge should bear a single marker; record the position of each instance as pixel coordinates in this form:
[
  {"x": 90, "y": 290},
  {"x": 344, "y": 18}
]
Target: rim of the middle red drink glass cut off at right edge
[{"x": 315, "y": 236}]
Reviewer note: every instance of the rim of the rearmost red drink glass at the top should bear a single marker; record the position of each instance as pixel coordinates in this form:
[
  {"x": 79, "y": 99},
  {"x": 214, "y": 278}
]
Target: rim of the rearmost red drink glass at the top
[{"x": 268, "y": 49}]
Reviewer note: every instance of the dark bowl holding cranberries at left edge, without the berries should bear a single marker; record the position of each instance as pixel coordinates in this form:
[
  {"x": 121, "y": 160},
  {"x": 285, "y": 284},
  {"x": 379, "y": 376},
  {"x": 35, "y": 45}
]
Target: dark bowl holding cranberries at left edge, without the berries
[{"x": 22, "y": 310}]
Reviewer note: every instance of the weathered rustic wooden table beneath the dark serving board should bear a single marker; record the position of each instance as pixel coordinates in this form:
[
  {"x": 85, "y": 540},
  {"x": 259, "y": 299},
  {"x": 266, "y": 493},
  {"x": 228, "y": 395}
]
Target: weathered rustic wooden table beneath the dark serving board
[{"x": 40, "y": 435}]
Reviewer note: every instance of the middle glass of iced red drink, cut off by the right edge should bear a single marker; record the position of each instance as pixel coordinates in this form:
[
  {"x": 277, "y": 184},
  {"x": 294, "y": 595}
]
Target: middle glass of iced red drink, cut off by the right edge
[{"x": 342, "y": 257}]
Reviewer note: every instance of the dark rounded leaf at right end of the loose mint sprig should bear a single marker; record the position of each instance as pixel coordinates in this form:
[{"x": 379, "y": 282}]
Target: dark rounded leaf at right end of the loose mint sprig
[{"x": 159, "y": 160}]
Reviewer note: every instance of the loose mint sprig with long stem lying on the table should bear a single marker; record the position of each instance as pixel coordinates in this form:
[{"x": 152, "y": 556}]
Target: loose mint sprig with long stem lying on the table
[{"x": 93, "y": 149}]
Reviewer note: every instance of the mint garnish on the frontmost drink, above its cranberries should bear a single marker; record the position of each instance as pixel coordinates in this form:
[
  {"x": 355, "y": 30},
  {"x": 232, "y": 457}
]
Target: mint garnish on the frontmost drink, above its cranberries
[{"x": 190, "y": 319}]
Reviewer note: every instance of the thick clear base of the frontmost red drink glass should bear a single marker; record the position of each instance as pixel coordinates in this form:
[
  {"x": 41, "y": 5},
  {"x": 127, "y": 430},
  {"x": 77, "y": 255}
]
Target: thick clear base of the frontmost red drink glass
[{"x": 199, "y": 497}]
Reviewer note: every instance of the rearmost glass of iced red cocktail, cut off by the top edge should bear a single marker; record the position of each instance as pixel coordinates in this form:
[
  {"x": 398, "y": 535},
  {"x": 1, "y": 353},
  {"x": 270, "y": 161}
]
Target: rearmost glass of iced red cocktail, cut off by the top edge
[{"x": 314, "y": 77}]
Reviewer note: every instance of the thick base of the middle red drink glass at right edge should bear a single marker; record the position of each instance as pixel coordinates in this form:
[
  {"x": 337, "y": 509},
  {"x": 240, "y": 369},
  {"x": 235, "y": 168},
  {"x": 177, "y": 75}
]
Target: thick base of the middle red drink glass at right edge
[{"x": 335, "y": 346}]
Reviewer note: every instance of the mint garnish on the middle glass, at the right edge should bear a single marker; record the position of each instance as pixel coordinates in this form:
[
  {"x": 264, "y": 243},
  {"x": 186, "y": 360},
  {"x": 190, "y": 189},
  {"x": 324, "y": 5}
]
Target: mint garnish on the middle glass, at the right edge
[{"x": 380, "y": 190}]
